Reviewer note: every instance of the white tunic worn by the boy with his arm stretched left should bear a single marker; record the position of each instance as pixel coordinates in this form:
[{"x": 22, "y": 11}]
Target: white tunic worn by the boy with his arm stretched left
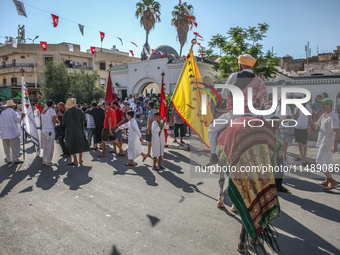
[{"x": 134, "y": 143}]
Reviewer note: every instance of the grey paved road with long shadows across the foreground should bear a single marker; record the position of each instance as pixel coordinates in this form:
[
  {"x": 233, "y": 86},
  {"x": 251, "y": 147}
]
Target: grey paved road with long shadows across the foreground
[{"x": 104, "y": 207}]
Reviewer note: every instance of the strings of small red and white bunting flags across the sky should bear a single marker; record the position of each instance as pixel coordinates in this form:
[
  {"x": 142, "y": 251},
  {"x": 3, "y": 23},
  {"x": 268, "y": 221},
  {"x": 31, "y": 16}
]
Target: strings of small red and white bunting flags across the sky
[{"x": 20, "y": 7}]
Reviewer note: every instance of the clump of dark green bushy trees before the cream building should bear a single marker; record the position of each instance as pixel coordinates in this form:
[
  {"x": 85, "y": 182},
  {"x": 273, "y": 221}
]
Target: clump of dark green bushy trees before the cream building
[{"x": 59, "y": 84}]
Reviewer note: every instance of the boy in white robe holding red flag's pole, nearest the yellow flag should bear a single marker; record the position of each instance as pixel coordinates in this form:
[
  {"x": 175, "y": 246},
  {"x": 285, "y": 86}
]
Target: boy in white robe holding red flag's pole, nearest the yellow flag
[{"x": 158, "y": 140}]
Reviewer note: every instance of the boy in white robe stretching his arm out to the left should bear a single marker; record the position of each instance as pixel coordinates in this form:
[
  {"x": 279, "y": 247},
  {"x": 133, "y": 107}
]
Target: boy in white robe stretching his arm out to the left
[{"x": 135, "y": 139}]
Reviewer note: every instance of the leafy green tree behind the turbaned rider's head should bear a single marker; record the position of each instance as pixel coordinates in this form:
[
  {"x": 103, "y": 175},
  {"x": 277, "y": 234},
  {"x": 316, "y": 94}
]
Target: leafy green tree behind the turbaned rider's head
[{"x": 246, "y": 41}]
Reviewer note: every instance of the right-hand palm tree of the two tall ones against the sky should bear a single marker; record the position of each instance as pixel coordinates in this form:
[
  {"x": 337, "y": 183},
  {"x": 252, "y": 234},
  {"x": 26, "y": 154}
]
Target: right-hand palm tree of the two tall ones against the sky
[{"x": 181, "y": 22}]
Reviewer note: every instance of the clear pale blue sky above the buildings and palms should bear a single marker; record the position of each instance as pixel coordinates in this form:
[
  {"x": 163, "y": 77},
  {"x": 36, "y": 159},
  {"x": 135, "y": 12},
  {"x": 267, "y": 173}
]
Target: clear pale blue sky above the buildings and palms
[{"x": 293, "y": 23}]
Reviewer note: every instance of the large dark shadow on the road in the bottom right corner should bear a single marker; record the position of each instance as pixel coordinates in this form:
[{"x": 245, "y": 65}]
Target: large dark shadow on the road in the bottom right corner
[{"x": 299, "y": 239}]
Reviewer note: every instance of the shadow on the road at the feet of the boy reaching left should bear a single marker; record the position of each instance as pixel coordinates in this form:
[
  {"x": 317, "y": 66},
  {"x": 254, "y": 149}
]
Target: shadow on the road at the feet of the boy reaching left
[{"x": 142, "y": 171}]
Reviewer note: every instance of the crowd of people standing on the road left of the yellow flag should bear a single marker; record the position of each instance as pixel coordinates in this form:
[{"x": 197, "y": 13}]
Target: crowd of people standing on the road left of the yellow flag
[{"x": 80, "y": 128}]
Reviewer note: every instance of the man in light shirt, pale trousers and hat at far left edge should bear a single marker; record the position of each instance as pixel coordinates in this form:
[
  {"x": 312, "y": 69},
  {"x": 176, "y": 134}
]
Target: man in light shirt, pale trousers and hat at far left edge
[{"x": 10, "y": 133}]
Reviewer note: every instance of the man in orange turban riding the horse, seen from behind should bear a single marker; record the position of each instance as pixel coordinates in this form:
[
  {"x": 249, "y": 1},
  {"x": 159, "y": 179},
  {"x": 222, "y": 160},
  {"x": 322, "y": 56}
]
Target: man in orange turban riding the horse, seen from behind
[{"x": 243, "y": 79}]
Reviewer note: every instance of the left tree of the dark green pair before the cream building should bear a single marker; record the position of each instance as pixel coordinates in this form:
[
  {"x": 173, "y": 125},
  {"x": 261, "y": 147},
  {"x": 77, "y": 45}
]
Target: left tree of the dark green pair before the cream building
[{"x": 56, "y": 82}]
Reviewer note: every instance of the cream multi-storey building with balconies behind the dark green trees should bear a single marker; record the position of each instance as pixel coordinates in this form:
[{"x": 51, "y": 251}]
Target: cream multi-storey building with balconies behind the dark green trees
[{"x": 14, "y": 59}]
